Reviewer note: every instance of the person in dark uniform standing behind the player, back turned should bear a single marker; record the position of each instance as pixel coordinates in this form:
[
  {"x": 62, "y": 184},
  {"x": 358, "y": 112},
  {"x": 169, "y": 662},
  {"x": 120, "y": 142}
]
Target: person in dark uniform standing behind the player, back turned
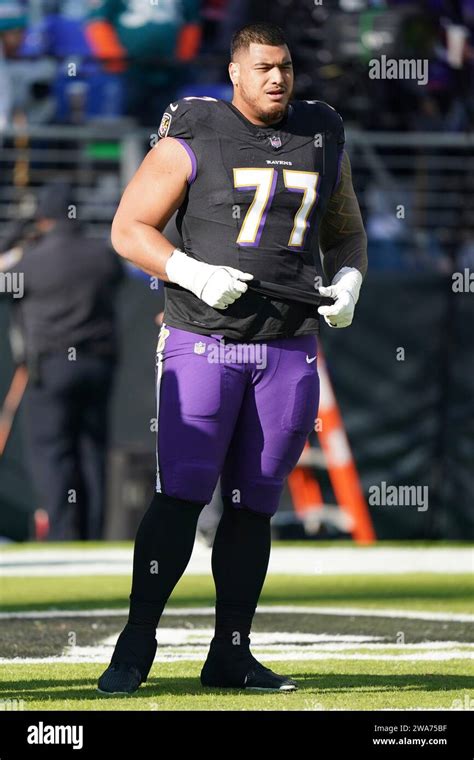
[{"x": 68, "y": 316}]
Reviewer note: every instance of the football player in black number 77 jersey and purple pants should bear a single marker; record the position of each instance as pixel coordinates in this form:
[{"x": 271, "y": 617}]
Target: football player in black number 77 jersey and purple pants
[{"x": 260, "y": 185}]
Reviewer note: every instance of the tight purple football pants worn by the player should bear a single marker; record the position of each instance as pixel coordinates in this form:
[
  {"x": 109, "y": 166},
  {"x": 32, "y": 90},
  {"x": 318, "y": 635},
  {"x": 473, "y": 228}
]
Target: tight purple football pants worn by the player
[{"x": 239, "y": 411}]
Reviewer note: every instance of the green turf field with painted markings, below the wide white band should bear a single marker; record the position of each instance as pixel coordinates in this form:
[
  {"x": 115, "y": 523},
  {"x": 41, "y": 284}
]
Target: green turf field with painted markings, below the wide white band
[{"x": 361, "y": 642}]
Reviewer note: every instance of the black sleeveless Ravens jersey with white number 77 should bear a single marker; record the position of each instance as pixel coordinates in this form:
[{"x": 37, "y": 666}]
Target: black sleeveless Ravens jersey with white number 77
[{"x": 254, "y": 201}]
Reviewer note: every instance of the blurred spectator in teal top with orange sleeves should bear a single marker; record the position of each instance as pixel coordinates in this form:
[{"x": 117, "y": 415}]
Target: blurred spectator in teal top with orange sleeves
[{"x": 149, "y": 41}]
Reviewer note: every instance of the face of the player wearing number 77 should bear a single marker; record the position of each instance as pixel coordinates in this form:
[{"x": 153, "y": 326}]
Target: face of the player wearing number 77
[{"x": 263, "y": 79}]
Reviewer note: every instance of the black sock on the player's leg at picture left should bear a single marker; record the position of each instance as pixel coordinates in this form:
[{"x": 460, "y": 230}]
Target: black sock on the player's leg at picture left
[{"x": 163, "y": 547}]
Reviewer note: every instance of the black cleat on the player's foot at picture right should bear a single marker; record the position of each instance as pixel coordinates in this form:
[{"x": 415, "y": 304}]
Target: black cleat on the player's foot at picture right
[{"x": 243, "y": 673}]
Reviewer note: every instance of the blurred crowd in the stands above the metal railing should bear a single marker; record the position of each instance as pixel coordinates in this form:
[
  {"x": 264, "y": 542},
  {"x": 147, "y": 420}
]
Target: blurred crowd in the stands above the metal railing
[{"x": 96, "y": 59}]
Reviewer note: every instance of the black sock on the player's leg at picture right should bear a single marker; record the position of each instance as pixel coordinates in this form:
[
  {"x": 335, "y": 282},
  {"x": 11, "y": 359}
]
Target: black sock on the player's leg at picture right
[{"x": 240, "y": 558}]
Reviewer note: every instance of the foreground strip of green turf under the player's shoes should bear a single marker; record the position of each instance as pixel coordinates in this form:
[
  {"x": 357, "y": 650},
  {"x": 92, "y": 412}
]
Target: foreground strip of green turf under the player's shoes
[{"x": 175, "y": 686}]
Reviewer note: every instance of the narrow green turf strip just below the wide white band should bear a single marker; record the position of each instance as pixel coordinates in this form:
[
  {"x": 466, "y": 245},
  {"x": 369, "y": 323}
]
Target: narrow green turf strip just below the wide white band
[{"x": 422, "y": 591}]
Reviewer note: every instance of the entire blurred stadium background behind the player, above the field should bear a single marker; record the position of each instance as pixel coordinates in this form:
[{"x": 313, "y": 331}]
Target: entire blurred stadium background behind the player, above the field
[{"x": 82, "y": 89}]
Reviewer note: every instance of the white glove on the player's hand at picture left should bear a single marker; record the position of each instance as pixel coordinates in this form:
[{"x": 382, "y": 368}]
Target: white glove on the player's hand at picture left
[{"x": 218, "y": 286}]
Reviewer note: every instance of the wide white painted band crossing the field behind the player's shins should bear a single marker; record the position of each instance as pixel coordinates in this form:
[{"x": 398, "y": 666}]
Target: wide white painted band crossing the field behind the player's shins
[{"x": 283, "y": 561}]
